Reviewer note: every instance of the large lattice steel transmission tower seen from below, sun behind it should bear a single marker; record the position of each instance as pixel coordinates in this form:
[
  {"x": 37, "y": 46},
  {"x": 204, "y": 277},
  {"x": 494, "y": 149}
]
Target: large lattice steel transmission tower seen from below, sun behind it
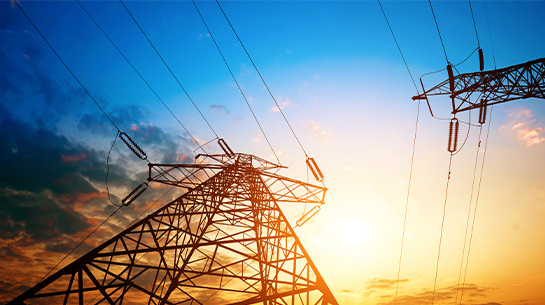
[{"x": 225, "y": 241}]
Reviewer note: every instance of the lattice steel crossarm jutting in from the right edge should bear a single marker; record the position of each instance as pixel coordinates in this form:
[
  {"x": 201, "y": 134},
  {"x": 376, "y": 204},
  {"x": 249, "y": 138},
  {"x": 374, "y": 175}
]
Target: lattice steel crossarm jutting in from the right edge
[{"x": 521, "y": 81}]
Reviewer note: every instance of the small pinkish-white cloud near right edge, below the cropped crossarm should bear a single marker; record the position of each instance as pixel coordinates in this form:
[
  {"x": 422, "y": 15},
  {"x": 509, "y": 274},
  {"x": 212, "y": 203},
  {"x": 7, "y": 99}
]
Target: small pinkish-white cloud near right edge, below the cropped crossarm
[{"x": 526, "y": 129}]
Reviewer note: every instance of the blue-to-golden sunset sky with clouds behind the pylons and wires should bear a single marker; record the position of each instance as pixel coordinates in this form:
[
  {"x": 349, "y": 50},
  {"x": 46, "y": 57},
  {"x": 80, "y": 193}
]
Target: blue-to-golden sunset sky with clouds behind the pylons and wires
[{"x": 337, "y": 74}]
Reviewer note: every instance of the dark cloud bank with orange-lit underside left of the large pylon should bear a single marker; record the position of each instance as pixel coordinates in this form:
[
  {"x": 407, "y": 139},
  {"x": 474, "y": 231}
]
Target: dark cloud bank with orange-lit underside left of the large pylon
[{"x": 53, "y": 195}]
